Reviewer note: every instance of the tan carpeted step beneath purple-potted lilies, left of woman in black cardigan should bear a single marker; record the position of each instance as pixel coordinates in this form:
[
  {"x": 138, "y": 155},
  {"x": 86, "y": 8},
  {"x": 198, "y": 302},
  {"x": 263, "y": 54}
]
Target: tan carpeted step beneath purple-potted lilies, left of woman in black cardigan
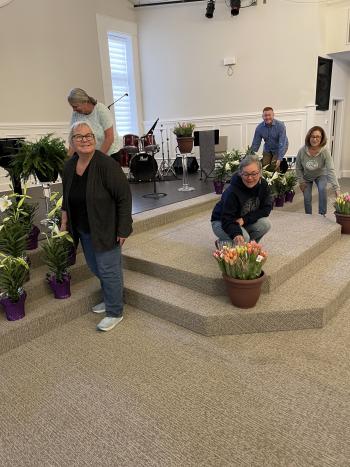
[{"x": 46, "y": 313}]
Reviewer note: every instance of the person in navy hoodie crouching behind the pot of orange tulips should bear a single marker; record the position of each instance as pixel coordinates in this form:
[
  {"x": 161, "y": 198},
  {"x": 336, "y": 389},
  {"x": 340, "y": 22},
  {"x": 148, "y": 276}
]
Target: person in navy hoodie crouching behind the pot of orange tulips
[{"x": 242, "y": 213}]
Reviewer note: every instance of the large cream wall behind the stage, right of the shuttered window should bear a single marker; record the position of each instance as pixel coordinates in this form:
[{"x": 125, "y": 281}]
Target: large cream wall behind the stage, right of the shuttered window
[{"x": 276, "y": 46}]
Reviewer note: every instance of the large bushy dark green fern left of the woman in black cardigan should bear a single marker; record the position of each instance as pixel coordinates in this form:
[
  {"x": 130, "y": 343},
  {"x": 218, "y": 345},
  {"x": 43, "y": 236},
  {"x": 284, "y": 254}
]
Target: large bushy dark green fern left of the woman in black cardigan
[{"x": 44, "y": 159}]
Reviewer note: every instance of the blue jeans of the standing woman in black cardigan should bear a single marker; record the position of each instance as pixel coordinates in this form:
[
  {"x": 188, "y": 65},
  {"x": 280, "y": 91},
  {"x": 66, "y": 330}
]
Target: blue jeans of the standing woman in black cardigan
[{"x": 107, "y": 266}]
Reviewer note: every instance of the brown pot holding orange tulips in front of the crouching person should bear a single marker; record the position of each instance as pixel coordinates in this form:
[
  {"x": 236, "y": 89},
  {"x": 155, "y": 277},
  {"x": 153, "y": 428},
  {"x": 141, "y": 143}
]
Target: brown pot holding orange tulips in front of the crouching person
[{"x": 244, "y": 293}]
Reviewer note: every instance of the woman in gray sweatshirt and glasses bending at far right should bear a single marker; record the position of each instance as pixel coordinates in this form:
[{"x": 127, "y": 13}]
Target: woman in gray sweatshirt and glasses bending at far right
[{"x": 315, "y": 164}]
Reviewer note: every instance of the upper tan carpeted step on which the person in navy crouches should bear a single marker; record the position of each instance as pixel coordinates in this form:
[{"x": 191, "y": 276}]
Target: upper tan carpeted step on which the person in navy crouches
[{"x": 181, "y": 252}]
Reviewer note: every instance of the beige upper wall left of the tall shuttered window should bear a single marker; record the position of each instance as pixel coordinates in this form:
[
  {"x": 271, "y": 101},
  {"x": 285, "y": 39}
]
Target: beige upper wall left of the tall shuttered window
[{"x": 46, "y": 48}]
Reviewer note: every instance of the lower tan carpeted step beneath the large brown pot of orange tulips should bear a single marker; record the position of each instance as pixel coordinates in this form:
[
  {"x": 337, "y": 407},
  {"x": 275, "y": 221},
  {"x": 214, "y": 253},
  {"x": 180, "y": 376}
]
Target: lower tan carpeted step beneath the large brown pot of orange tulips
[{"x": 306, "y": 300}]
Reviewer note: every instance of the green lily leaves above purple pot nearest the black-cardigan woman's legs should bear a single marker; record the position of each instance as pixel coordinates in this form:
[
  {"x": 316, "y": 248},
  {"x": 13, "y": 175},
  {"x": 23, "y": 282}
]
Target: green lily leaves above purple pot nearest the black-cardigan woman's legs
[{"x": 56, "y": 251}]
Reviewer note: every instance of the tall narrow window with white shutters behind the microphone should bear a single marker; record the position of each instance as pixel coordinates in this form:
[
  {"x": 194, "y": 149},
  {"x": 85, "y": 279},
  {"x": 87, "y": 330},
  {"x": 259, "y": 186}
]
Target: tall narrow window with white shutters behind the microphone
[{"x": 120, "y": 58}]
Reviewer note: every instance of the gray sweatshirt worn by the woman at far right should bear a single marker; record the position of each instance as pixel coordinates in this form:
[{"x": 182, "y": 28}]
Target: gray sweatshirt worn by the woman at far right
[{"x": 308, "y": 168}]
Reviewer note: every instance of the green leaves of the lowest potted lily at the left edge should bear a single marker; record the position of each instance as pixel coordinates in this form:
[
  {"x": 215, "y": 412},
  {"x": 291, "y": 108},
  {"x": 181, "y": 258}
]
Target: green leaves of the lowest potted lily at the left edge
[{"x": 13, "y": 273}]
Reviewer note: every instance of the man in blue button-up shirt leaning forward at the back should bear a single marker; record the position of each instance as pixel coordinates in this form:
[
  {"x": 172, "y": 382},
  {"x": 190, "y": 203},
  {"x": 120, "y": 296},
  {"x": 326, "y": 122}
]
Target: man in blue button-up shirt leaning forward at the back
[{"x": 273, "y": 132}]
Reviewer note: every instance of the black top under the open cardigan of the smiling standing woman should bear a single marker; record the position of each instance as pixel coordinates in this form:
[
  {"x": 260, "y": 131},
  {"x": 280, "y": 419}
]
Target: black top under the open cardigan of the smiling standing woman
[{"x": 77, "y": 201}]
